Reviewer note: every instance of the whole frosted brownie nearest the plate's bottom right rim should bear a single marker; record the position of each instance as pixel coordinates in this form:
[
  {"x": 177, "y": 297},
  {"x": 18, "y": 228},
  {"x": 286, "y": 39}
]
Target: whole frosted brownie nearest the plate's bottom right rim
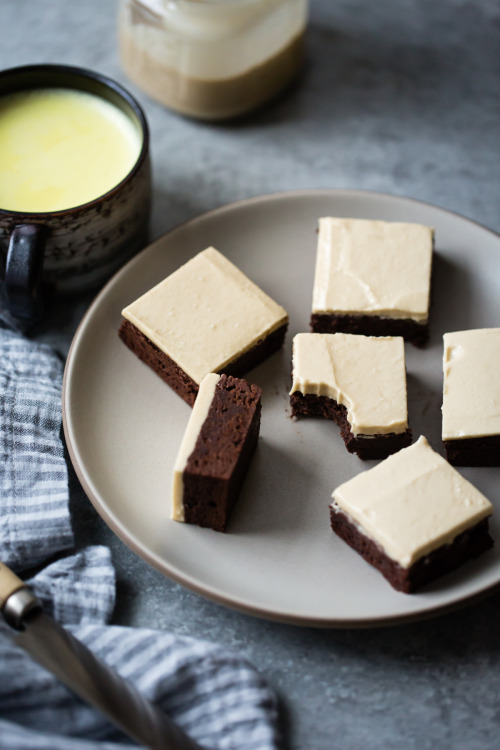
[{"x": 413, "y": 517}]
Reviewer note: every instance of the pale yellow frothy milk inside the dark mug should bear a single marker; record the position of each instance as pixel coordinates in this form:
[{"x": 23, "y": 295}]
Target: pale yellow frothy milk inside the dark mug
[{"x": 60, "y": 148}]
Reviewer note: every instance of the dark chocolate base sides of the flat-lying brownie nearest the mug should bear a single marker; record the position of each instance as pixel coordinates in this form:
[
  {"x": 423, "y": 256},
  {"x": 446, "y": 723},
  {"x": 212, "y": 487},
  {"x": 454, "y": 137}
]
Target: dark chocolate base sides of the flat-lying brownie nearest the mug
[{"x": 179, "y": 380}]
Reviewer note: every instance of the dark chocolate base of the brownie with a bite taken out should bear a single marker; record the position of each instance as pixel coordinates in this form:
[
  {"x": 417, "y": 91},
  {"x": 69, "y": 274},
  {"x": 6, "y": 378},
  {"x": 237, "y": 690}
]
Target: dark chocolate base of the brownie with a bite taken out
[{"x": 368, "y": 448}]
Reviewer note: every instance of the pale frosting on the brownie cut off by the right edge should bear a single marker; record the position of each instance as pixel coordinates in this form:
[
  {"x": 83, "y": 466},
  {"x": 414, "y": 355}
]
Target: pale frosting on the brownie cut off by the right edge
[{"x": 471, "y": 389}]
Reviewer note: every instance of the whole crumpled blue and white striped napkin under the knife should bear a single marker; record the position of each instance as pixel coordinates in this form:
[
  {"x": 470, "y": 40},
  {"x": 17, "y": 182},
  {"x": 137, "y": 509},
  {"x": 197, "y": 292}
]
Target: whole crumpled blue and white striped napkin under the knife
[{"x": 213, "y": 694}]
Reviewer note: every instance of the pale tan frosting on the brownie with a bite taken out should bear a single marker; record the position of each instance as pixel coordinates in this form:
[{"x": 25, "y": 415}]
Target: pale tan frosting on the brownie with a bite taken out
[{"x": 366, "y": 374}]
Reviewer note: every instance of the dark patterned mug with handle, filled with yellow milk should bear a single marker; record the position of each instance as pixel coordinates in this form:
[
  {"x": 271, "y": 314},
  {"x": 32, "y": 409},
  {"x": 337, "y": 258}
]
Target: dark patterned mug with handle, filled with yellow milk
[{"x": 75, "y": 180}]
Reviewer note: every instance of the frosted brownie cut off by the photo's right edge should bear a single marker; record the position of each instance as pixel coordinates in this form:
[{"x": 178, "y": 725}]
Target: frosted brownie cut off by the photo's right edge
[{"x": 471, "y": 397}]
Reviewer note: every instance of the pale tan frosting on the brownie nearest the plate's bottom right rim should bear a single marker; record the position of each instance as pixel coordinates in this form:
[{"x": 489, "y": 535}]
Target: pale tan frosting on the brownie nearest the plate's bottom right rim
[{"x": 412, "y": 503}]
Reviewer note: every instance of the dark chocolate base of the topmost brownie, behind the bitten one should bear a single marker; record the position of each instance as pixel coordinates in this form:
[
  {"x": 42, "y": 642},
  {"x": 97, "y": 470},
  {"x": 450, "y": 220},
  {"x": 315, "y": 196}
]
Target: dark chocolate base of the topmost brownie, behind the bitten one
[{"x": 371, "y": 325}]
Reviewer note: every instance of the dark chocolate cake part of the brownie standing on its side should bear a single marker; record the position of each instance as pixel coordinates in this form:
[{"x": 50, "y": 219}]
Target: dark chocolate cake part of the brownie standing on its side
[{"x": 216, "y": 468}]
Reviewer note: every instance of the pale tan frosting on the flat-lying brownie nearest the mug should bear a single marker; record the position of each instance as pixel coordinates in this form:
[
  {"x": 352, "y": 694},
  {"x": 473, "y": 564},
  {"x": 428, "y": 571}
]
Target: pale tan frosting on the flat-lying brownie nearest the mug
[{"x": 206, "y": 314}]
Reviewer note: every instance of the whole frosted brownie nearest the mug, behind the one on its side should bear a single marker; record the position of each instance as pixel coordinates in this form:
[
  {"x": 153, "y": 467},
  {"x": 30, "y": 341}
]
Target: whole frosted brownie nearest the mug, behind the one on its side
[{"x": 205, "y": 317}]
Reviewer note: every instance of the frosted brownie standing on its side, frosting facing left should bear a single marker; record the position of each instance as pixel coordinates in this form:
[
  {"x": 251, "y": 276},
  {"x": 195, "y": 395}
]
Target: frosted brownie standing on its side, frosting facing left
[{"x": 215, "y": 452}]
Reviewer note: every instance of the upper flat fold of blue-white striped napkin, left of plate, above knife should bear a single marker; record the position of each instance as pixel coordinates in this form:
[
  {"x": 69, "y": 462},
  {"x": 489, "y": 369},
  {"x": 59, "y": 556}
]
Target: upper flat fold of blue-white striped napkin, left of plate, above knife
[{"x": 33, "y": 479}]
